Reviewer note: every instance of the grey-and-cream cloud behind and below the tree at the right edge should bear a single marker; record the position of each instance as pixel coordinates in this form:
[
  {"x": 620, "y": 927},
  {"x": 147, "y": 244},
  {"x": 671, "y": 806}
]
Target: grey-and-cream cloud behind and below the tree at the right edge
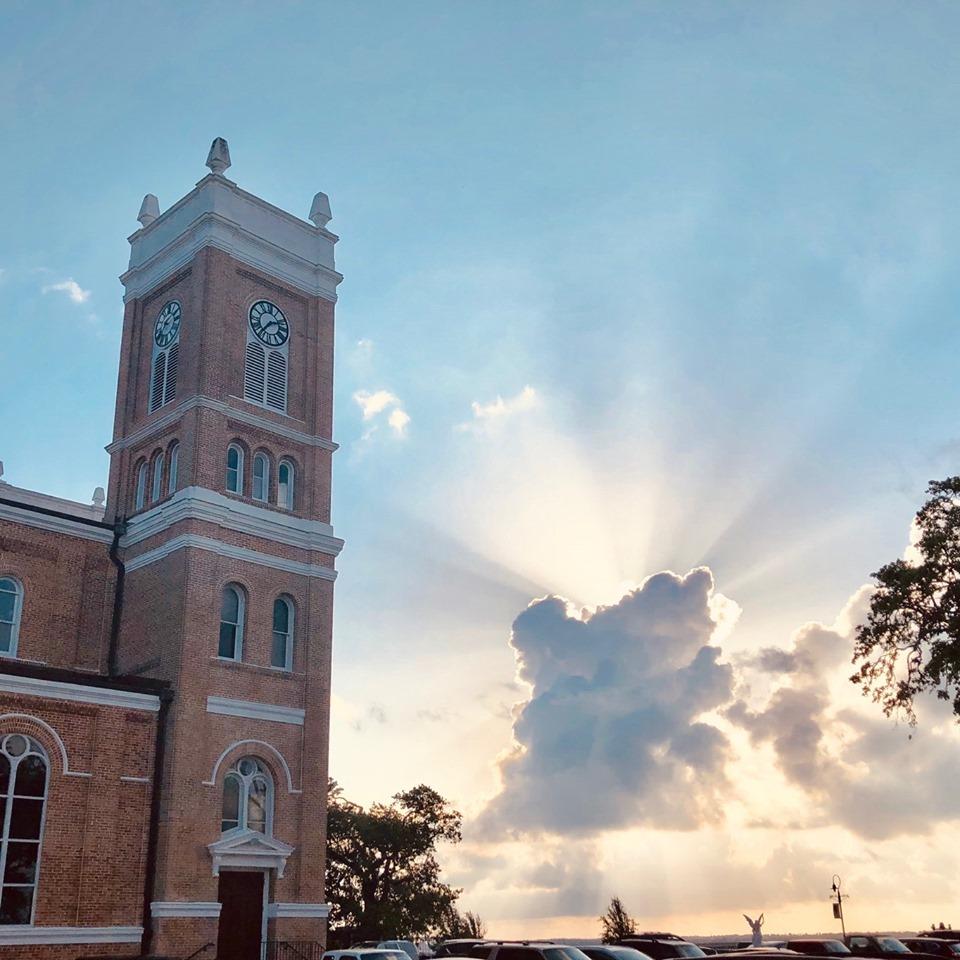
[{"x": 863, "y": 772}]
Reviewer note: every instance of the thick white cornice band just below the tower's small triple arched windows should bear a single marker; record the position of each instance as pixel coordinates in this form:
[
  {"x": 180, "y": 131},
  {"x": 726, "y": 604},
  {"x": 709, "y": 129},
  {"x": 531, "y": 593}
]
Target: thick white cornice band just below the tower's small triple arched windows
[{"x": 200, "y": 503}]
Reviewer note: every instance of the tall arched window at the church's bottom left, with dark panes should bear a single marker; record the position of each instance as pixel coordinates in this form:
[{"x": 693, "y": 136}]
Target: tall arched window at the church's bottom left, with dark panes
[{"x": 23, "y": 793}]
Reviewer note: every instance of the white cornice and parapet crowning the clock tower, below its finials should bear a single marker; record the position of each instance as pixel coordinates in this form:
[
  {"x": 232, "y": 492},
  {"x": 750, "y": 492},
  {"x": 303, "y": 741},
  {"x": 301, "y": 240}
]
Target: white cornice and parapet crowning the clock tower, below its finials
[{"x": 218, "y": 213}]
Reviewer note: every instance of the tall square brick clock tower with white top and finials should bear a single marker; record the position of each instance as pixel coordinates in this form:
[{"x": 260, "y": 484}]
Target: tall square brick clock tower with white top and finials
[{"x": 220, "y": 488}]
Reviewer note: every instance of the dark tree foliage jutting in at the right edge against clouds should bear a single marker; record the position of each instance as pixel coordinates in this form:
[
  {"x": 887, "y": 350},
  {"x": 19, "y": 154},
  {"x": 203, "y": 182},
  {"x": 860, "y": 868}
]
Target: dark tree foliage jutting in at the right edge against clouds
[{"x": 910, "y": 643}]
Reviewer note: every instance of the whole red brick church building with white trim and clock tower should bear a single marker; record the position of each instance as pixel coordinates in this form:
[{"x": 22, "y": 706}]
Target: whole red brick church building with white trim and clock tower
[{"x": 165, "y": 654}]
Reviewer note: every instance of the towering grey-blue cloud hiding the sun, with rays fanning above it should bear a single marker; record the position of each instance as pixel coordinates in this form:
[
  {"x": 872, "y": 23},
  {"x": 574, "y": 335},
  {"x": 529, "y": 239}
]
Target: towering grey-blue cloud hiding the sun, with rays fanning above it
[{"x": 611, "y": 735}]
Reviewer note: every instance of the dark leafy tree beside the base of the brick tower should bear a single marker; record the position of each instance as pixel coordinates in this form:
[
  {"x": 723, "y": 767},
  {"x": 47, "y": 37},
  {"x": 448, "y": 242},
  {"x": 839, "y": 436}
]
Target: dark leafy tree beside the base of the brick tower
[{"x": 383, "y": 879}]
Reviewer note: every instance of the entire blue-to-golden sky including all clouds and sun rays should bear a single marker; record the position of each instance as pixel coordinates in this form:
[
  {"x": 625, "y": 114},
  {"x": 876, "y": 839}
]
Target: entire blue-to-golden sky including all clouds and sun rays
[{"x": 646, "y": 351}]
